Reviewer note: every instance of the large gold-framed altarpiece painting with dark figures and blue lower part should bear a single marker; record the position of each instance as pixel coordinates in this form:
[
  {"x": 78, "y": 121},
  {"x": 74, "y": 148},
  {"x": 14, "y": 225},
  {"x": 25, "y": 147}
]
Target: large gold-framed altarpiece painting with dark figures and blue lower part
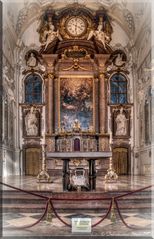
[{"x": 76, "y": 103}]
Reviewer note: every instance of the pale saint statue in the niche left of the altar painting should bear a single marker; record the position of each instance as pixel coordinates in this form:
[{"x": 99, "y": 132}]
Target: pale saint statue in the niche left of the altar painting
[{"x": 31, "y": 123}]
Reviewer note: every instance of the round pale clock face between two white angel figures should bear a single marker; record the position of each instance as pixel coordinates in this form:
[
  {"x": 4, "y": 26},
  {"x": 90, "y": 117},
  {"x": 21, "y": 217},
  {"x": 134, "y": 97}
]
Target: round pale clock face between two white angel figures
[{"x": 76, "y": 26}]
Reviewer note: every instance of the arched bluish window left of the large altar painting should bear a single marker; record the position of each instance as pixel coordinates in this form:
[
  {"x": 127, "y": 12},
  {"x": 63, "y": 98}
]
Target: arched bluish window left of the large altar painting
[{"x": 33, "y": 89}]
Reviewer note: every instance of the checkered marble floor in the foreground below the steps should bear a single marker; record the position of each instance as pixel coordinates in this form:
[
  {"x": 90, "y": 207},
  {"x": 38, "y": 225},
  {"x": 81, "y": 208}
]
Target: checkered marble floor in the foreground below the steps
[{"x": 57, "y": 228}]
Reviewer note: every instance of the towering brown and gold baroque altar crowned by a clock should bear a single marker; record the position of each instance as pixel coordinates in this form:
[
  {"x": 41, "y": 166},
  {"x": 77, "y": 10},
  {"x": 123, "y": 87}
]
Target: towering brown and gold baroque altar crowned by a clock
[{"x": 69, "y": 106}]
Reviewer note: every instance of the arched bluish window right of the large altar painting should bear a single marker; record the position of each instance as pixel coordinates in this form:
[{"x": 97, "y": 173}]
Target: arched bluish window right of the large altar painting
[{"x": 118, "y": 89}]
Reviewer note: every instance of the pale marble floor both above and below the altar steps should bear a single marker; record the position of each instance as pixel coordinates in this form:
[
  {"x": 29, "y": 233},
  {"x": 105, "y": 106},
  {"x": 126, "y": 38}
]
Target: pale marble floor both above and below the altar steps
[{"x": 142, "y": 221}]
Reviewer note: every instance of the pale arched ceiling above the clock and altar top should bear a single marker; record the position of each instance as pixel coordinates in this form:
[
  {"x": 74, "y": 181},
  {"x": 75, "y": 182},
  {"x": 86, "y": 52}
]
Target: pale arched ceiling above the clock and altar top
[{"x": 129, "y": 14}]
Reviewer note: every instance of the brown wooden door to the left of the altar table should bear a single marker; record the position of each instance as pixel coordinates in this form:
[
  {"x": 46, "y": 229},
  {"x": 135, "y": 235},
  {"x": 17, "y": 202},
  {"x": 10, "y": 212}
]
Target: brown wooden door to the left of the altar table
[{"x": 32, "y": 161}]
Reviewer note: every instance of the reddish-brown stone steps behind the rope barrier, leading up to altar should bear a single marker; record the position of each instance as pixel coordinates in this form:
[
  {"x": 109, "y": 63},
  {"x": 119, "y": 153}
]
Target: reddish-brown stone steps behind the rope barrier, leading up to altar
[{"x": 19, "y": 202}]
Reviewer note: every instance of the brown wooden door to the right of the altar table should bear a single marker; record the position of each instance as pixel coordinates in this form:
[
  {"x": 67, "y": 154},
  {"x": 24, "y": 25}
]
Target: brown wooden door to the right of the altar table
[{"x": 120, "y": 160}]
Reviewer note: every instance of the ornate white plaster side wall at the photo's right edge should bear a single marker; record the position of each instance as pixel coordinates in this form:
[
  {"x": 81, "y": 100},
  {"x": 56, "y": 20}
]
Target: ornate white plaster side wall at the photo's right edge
[{"x": 141, "y": 85}]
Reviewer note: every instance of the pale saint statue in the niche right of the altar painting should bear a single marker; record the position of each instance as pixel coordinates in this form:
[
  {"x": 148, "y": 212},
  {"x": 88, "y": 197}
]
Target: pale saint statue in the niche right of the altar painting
[{"x": 121, "y": 123}]
